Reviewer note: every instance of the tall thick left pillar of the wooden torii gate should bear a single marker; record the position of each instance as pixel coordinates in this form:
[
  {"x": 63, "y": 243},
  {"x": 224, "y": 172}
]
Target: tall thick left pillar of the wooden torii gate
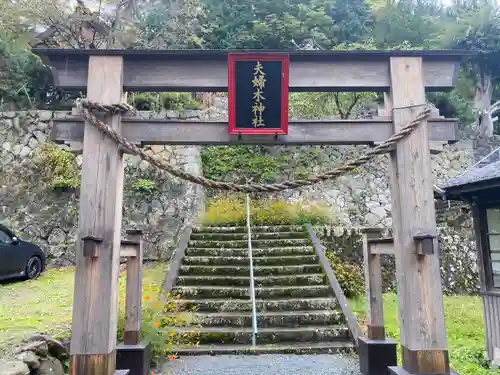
[{"x": 95, "y": 306}]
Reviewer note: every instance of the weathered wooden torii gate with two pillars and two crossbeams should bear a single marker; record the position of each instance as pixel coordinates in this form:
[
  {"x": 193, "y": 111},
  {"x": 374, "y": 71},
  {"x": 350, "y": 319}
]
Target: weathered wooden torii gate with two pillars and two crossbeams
[{"x": 403, "y": 75}]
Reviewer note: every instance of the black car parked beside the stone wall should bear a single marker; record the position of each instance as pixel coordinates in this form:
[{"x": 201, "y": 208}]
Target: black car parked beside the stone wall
[{"x": 19, "y": 258}]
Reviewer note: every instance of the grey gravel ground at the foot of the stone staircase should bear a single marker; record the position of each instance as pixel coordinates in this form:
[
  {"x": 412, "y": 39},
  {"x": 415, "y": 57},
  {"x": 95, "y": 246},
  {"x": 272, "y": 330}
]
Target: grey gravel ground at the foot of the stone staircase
[{"x": 274, "y": 364}]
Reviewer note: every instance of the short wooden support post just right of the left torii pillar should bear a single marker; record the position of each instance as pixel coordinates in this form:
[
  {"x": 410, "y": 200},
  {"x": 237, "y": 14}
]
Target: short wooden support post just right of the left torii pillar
[{"x": 133, "y": 299}]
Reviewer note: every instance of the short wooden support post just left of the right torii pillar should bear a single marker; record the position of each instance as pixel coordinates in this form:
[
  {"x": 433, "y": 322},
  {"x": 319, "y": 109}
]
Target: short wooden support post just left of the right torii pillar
[{"x": 373, "y": 285}]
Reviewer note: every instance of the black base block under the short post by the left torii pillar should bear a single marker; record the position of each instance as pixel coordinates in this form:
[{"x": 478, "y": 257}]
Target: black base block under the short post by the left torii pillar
[{"x": 136, "y": 358}]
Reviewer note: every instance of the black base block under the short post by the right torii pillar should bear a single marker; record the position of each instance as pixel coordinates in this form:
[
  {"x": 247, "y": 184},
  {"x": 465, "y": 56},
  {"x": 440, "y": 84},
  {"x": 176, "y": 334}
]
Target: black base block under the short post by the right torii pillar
[{"x": 375, "y": 356}]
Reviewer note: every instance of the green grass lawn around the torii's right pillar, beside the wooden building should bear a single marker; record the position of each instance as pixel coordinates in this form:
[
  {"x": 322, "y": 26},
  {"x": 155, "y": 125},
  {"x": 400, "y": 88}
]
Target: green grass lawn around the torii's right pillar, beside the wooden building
[{"x": 464, "y": 328}]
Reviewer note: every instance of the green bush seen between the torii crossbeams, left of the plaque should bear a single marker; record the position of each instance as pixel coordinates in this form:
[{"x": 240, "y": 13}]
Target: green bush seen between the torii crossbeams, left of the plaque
[{"x": 177, "y": 101}]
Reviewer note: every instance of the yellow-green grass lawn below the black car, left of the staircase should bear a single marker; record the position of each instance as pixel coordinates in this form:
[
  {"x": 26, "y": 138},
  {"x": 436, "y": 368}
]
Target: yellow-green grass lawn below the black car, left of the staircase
[{"x": 45, "y": 305}]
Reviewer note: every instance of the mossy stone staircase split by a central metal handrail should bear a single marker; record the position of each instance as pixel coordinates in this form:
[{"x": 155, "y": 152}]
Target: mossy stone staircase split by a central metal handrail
[{"x": 296, "y": 309}]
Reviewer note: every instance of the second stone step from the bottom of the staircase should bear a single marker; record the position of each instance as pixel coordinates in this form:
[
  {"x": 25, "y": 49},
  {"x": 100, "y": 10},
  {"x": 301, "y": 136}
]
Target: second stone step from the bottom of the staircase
[{"x": 243, "y": 336}]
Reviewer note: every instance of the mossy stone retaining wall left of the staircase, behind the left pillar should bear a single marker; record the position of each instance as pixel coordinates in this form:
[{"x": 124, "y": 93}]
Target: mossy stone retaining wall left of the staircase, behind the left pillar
[{"x": 49, "y": 217}]
